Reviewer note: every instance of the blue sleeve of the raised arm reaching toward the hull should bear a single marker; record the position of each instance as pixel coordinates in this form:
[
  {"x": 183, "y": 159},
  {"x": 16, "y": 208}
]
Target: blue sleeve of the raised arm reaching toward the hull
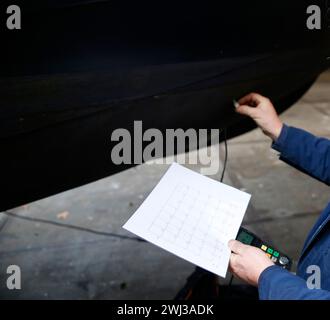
[{"x": 305, "y": 152}]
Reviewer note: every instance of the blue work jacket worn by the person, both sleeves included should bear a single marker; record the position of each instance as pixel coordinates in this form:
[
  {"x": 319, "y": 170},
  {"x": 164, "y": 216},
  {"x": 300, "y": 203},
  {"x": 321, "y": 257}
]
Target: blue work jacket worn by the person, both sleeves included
[{"x": 310, "y": 155}]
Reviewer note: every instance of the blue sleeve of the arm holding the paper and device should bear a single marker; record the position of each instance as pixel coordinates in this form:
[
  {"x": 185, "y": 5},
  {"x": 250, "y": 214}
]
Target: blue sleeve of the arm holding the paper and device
[{"x": 276, "y": 283}]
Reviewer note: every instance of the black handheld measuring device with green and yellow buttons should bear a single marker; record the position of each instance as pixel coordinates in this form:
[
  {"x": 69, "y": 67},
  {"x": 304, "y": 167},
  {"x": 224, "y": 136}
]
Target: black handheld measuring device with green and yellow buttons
[{"x": 276, "y": 256}]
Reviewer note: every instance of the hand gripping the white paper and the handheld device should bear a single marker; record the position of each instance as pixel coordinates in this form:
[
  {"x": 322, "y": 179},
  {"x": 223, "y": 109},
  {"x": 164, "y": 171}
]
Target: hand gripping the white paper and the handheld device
[{"x": 247, "y": 262}]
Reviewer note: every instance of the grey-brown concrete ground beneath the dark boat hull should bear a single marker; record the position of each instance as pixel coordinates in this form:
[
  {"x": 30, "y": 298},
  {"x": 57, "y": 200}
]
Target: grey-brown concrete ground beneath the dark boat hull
[{"x": 63, "y": 263}]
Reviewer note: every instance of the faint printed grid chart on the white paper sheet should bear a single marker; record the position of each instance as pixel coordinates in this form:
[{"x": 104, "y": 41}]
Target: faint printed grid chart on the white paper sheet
[{"x": 195, "y": 221}]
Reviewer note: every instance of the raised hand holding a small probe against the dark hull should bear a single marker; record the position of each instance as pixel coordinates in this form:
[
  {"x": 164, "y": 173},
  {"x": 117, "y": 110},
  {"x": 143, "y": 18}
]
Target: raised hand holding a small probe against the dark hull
[{"x": 262, "y": 111}]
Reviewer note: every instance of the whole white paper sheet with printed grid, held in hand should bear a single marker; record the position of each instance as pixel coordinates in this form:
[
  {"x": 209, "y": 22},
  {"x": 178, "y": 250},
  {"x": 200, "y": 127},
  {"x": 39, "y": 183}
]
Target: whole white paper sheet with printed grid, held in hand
[{"x": 193, "y": 217}]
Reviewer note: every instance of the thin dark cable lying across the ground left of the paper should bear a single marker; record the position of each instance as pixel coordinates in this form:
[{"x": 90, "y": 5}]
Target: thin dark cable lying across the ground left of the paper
[{"x": 74, "y": 227}]
